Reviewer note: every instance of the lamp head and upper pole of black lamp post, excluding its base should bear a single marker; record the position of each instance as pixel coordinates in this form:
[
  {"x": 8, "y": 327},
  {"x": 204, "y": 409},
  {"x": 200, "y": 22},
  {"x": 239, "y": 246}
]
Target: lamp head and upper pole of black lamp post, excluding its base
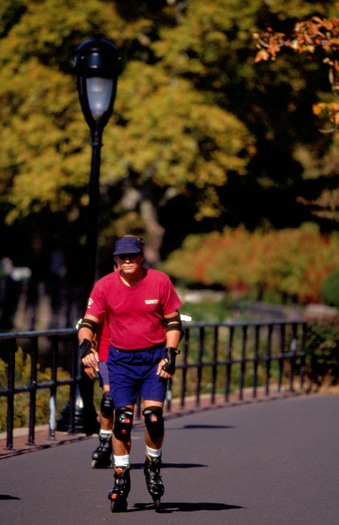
[{"x": 97, "y": 65}]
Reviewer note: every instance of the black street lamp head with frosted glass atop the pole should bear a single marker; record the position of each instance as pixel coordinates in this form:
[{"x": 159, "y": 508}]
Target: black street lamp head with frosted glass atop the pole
[{"x": 97, "y": 65}]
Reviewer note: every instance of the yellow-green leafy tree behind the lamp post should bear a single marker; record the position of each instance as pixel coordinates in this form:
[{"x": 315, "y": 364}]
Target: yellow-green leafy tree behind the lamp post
[{"x": 168, "y": 138}]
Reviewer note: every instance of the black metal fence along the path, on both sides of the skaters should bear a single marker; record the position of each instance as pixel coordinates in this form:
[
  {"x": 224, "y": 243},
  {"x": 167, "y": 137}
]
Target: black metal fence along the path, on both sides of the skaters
[{"x": 217, "y": 359}]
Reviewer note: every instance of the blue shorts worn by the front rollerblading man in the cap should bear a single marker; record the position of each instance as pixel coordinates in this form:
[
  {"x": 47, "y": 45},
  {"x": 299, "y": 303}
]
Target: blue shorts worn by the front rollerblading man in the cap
[{"x": 133, "y": 373}]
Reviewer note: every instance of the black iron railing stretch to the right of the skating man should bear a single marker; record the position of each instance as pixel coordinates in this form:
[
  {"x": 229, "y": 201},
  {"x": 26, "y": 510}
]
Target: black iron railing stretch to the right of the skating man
[{"x": 234, "y": 356}]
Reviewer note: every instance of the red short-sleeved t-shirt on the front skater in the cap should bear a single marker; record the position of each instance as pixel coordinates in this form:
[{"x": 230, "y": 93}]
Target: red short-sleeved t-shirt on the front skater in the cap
[{"x": 135, "y": 313}]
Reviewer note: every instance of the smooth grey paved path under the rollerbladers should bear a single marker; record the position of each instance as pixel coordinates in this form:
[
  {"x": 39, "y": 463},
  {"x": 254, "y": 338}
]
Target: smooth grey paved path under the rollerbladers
[{"x": 266, "y": 463}]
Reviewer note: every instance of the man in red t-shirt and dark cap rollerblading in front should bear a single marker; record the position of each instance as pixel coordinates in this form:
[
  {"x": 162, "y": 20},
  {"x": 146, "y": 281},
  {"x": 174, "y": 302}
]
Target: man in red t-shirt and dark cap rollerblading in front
[{"x": 141, "y": 306}]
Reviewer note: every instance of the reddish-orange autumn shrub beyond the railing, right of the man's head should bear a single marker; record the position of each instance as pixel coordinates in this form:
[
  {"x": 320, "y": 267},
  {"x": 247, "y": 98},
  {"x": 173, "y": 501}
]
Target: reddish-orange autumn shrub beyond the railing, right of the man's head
[{"x": 291, "y": 263}]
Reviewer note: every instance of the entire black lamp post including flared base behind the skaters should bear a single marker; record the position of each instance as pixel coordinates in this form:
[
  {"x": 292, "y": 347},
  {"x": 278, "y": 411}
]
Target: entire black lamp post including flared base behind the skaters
[{"x": 97, "y": 65}]
